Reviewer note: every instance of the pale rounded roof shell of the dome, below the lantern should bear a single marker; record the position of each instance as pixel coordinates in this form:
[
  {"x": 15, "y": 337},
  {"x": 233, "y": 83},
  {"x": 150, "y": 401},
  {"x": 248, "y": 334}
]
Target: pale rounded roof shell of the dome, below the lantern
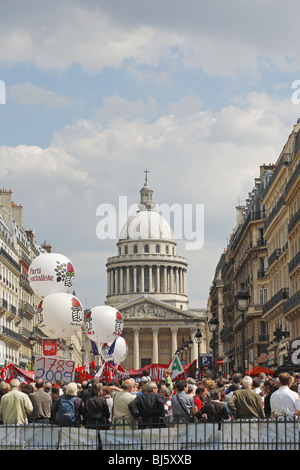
[{"x": 146, "y": 224}]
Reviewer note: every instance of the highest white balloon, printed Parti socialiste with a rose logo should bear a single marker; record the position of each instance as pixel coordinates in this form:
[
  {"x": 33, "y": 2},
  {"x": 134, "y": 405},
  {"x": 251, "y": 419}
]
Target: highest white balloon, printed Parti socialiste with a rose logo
[{"x": 50, "y": 273}]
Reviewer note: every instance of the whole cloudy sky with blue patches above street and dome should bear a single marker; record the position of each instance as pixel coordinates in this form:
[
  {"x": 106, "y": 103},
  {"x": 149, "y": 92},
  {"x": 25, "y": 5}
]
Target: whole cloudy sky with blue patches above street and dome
[{"x": 199, "y": 93}]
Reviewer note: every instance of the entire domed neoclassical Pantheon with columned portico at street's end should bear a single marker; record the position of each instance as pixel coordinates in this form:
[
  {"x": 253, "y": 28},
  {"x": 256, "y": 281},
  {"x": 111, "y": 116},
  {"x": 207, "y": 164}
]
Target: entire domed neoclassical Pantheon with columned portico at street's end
[{"x": 147, "y": 282}]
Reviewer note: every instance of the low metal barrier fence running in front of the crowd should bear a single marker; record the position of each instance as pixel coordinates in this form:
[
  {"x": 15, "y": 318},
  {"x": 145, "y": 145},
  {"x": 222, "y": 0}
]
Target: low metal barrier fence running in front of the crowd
[{"x": 276, "y": 434}]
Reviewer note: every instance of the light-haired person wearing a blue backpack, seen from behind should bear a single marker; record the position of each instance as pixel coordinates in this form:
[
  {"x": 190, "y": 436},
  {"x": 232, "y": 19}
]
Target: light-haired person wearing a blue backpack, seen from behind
[{"x": 68, "y": 408}]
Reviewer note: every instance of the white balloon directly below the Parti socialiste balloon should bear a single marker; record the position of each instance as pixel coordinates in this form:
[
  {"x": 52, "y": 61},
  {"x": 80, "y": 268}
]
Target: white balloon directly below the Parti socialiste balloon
[{"x": 60, "y": 315}]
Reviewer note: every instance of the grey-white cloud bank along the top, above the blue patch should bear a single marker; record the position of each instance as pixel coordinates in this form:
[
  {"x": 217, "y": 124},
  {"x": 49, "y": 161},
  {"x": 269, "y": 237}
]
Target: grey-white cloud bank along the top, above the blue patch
[{"x": 222, "y": 39}]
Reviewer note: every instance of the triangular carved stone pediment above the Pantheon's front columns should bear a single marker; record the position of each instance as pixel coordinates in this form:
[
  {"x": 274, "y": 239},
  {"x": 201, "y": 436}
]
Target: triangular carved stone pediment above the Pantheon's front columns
[{"x": 146, "y": 307}]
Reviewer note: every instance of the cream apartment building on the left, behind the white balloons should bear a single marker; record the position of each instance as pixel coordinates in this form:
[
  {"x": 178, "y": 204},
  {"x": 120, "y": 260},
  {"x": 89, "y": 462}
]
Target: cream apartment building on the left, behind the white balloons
[{"x": 18, "y": 302}]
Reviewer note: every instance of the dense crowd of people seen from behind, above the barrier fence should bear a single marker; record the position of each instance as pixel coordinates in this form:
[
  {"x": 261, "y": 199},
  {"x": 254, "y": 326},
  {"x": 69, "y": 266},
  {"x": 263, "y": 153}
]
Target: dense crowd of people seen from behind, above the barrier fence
[{"x": 146, "y": 403}]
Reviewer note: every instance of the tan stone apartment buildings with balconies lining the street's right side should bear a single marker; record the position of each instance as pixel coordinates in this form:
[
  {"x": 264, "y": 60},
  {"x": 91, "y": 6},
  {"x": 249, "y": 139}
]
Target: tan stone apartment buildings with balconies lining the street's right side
[{"x": 263, "y": 255}]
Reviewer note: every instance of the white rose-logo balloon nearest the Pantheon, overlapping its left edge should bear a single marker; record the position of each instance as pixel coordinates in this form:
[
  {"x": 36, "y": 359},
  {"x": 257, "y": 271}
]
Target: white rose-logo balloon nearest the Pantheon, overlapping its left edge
[{"x": 103, "y": 324}]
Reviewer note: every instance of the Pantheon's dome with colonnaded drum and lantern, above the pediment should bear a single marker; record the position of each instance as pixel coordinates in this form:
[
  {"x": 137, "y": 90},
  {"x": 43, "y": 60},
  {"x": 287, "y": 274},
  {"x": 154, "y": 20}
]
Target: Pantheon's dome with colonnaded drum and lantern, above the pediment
[{"x": 147, "y": 262}]
